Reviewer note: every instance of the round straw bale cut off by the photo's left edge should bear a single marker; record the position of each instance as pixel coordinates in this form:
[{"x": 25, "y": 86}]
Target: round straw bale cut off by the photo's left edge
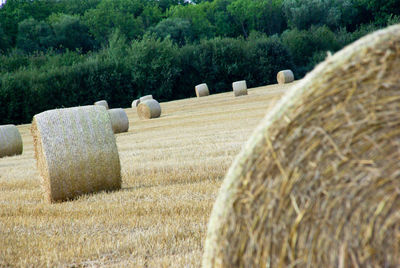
[{"x": 10, "y": 141}]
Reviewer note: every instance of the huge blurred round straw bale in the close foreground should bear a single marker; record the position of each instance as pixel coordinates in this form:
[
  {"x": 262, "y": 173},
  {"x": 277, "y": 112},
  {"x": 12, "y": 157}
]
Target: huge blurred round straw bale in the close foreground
[{"x": 317, "y": 184}]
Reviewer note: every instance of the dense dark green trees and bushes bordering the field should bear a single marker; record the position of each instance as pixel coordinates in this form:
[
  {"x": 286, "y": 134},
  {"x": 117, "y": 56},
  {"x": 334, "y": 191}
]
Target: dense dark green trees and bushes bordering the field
[{"x": 61, "y": 53}]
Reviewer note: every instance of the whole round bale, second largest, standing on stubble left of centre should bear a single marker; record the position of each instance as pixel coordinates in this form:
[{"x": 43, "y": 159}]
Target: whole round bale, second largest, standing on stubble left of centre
[{"x": 76, "y": 152}]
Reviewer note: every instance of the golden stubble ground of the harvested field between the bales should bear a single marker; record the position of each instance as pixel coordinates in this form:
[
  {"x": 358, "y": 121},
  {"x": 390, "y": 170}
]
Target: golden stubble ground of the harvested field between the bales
[{"x": 172, "y": 168}]
